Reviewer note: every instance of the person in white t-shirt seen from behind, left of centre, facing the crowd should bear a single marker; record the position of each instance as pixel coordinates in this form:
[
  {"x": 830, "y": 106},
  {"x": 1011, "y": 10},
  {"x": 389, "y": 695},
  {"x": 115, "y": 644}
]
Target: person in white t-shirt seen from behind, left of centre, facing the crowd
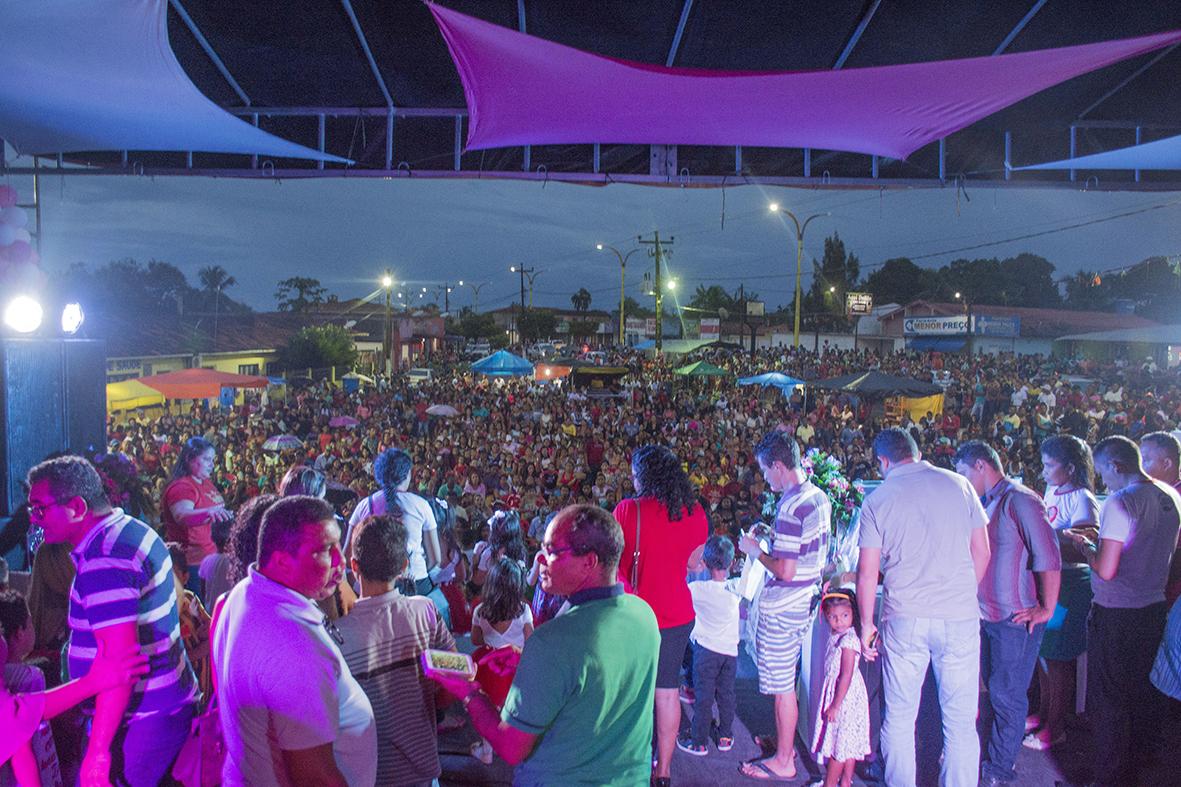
[{"x": 392, "y": 471}]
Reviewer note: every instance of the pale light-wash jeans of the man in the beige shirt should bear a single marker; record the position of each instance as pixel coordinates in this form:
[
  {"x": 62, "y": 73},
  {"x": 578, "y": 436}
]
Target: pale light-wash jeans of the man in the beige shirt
[{"x": 954, "y": 649}]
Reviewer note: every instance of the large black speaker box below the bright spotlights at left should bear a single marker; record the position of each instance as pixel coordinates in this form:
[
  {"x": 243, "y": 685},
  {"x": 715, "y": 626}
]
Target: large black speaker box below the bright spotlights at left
[{"x": 53, "y": 399}]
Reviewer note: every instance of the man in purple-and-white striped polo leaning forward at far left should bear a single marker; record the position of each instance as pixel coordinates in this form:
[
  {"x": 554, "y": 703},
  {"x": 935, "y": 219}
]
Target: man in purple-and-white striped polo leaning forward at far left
[{"x": 123, "y": 597}]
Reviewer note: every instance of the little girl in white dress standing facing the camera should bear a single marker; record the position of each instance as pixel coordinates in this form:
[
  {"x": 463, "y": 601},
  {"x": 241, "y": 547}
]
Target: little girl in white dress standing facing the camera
[{"x": 843, "y": 727}]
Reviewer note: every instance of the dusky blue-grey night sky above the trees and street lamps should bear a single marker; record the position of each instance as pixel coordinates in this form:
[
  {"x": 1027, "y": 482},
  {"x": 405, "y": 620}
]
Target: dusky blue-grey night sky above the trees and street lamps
[{"x": 345, "y": 233}]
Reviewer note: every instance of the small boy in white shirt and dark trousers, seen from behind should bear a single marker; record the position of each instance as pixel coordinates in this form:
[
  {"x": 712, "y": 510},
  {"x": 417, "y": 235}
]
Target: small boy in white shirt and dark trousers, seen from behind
[{"x": 715, "y": 640}]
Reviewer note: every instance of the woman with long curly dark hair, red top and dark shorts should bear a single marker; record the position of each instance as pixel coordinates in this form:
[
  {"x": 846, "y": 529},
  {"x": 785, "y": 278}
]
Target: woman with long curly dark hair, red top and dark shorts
[{"x": 673, "y": 530}]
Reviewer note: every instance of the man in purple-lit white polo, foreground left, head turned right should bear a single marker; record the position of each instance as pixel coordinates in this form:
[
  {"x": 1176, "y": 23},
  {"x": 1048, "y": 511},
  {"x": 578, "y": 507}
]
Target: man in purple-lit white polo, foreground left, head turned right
[{"x": 291, "y": 711}]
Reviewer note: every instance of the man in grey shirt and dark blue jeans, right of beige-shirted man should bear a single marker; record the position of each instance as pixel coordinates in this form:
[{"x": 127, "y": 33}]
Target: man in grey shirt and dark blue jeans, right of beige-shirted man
[{"x": 1019, "y": 595}]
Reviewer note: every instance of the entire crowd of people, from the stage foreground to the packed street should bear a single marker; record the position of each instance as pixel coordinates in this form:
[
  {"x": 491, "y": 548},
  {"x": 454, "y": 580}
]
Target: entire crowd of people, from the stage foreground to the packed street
[{"x": 291, "y": 595}]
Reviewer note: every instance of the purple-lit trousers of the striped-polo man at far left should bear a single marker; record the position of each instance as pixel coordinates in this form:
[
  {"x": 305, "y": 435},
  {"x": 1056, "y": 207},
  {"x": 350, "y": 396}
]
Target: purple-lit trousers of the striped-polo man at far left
[{"x": 143, "y": 751}]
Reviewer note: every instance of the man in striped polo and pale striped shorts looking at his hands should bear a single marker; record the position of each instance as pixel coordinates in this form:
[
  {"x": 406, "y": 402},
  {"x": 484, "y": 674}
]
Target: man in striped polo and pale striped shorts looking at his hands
[{"x": 785, "y": 608}]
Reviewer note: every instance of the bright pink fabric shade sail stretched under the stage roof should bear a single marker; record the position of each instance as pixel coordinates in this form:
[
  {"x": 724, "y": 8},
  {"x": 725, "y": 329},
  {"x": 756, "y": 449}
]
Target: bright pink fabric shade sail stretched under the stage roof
[{"x": 524, "y": 90}]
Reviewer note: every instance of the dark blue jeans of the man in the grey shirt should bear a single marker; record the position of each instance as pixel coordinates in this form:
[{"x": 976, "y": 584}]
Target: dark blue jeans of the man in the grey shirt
[{"x": 1008, "y": 655}]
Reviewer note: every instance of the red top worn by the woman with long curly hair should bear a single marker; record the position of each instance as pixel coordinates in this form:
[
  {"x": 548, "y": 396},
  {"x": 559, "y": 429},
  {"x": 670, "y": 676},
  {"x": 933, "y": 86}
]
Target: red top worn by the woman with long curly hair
[{"x": 665, "y": 549}]
